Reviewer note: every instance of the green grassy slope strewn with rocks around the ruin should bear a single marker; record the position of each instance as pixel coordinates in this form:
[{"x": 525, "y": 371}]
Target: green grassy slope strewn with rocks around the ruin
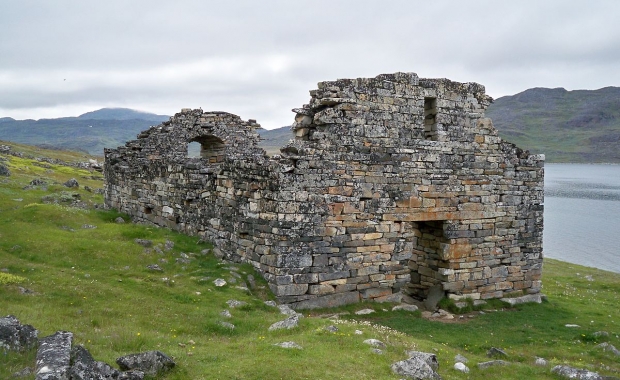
[{"x": 94, "y": 282}]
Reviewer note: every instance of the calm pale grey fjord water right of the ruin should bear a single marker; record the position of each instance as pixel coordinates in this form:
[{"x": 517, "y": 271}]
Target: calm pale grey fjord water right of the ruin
[{"x": 582, "y": 214}]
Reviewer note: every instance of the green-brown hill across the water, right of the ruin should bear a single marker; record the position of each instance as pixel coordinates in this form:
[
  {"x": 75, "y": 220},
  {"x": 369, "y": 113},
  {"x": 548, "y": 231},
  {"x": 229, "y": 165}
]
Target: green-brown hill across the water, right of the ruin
[{"x": 567, "y": 126}]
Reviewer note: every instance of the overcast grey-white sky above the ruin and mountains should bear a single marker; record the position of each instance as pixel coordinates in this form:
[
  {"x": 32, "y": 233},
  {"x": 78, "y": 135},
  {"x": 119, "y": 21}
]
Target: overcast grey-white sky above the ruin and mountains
[{"x": 259, "y": 58}]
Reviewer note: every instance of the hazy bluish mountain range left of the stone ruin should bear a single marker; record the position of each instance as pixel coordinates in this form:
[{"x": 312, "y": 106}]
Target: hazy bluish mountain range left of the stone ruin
[{"x": 90, "y": 132}]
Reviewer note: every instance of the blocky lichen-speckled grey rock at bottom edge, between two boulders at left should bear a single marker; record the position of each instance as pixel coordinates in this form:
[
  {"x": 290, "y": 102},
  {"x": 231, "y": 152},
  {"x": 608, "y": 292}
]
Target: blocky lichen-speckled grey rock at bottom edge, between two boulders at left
[{"x": 54, "y": 356}]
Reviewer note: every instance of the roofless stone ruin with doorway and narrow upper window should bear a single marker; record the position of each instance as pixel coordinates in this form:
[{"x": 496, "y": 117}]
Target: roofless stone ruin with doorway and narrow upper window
[{"x": 392, "y": 185}]
